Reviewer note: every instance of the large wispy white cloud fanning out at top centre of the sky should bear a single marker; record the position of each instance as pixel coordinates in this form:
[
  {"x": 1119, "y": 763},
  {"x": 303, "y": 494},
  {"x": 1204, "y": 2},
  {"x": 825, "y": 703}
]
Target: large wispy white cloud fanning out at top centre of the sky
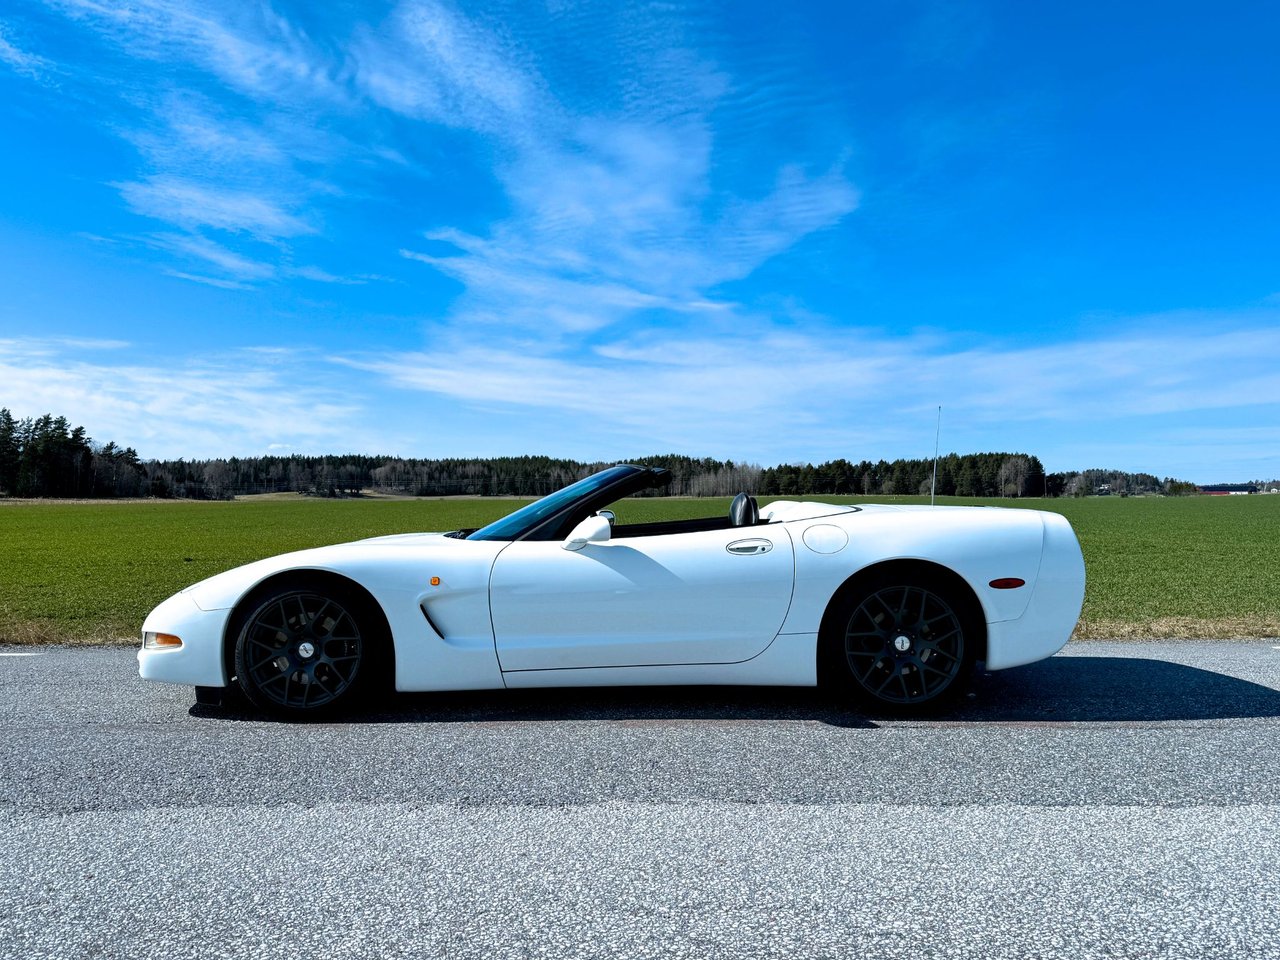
[{"x": 616, "y": 204}]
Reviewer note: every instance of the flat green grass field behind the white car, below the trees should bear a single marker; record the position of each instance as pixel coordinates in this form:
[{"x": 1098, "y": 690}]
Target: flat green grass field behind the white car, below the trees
[{"x": 89, "y": 573}]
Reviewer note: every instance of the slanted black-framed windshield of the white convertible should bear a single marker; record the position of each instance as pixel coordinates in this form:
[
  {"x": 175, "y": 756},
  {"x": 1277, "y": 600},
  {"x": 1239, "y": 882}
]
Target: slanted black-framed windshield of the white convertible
[{"x": 550, "y": 518}]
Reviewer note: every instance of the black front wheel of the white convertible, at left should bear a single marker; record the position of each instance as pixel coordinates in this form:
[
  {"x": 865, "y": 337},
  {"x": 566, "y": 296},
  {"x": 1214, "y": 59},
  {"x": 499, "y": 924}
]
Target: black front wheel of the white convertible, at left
[{"x": 305, "y": 652}]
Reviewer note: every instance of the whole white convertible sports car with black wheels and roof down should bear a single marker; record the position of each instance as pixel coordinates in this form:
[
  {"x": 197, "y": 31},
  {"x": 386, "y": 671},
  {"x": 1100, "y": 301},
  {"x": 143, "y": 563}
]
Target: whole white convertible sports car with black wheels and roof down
[{"x": 890, "y": 605}]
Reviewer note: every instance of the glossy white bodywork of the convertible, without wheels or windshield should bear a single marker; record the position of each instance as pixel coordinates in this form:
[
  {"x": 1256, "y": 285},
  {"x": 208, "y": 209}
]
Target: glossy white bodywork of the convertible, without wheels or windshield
[{"x": 675, "y": 609}]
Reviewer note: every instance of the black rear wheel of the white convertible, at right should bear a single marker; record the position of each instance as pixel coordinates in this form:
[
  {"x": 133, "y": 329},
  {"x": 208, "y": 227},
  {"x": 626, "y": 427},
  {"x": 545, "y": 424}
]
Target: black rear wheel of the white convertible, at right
[{"x": 903, "y": 646}]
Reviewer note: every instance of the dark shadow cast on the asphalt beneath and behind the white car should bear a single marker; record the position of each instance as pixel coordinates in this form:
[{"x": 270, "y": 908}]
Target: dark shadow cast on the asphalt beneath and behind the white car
[{"x": 1059, "y": 691}]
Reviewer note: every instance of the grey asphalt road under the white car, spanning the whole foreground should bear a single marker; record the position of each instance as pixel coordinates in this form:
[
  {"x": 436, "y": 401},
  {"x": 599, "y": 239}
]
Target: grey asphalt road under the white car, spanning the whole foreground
[{"x": 1121, "y": 801}]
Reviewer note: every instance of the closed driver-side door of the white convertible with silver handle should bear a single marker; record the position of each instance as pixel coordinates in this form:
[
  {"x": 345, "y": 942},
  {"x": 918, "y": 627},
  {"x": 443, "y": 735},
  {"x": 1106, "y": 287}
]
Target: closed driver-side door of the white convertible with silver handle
[{"x": 707, "y": 597}]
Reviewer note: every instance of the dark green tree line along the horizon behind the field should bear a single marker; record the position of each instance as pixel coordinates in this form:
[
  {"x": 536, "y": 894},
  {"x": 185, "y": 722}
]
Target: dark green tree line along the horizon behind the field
[{"x": 48, "y": 458}]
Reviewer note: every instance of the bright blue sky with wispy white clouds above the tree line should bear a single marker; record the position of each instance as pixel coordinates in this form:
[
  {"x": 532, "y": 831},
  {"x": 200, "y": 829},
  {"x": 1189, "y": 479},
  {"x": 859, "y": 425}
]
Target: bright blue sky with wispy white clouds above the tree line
[{"x": 748, "y": 231}]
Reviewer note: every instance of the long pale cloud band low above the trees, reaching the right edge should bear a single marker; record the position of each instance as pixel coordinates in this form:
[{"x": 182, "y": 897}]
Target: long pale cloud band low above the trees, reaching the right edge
[{"x": 856, "y": 392}]
